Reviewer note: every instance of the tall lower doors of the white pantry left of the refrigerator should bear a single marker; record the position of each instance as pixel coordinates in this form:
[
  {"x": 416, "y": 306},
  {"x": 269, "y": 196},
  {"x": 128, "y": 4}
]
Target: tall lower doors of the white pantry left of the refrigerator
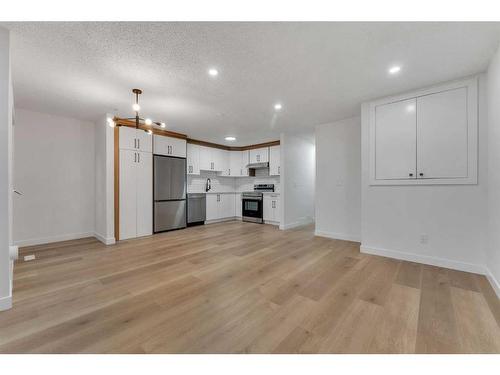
[{"x": 136, "y": 194}]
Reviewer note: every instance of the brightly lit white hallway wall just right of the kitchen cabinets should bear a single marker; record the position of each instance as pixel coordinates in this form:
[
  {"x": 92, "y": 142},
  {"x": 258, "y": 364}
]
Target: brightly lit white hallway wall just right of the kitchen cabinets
[{"x": 297, "y": 180}]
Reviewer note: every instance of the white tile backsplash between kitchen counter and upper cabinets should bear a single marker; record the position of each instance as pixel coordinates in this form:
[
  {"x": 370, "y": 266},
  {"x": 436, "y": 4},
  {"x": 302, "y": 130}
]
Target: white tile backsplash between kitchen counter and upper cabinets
[{"x": 196, "y": 184}]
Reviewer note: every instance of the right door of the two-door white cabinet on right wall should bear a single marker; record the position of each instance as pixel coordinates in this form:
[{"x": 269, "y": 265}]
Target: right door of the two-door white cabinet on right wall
[{"x": 442, "y": 134}]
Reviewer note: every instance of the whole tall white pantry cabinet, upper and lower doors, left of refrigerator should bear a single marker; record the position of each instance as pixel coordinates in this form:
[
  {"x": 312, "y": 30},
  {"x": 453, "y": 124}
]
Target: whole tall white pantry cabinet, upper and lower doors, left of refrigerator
[{"x": 136, "y": 183}]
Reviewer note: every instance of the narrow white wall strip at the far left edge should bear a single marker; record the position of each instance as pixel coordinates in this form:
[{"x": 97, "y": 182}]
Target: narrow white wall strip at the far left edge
[{"x": 5, "y": 171}]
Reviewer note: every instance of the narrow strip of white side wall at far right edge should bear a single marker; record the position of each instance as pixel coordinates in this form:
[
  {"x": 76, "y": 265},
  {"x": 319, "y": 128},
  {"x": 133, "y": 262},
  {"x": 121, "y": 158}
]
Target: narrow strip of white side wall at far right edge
[{"x": 493, "y": 248}]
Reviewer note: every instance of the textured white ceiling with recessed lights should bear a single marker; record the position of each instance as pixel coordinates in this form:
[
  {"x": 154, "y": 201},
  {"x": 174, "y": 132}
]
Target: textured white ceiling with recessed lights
[{"x": 320, "y": 71}]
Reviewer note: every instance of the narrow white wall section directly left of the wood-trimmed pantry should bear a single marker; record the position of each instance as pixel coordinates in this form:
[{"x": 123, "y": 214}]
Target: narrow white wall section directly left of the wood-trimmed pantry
[{"x": 104, "y": 181}]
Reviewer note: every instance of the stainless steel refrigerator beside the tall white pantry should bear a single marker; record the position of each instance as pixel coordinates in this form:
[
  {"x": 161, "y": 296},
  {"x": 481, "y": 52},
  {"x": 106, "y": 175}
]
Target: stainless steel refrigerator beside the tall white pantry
[{"x": 169, "y": 193}]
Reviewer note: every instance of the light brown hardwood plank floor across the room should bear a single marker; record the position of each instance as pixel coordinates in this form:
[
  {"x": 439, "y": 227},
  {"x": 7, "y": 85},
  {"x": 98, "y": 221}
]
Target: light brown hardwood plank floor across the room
[{"x": 242, "y": 288}]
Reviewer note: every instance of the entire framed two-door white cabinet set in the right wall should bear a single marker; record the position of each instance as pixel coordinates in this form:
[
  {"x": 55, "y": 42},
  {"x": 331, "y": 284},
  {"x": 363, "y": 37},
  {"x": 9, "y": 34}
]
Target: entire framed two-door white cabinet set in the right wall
[{"x": 425, "y": 137}]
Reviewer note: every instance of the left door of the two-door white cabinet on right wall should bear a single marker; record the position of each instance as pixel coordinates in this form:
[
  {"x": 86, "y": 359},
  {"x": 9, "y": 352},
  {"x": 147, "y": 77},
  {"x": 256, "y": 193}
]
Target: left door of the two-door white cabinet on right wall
[{"x": 395, "y": 146}]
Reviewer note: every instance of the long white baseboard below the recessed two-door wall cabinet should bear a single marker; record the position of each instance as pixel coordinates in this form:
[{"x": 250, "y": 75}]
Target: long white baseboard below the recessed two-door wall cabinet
[{"x": 425, "y": 259}]
